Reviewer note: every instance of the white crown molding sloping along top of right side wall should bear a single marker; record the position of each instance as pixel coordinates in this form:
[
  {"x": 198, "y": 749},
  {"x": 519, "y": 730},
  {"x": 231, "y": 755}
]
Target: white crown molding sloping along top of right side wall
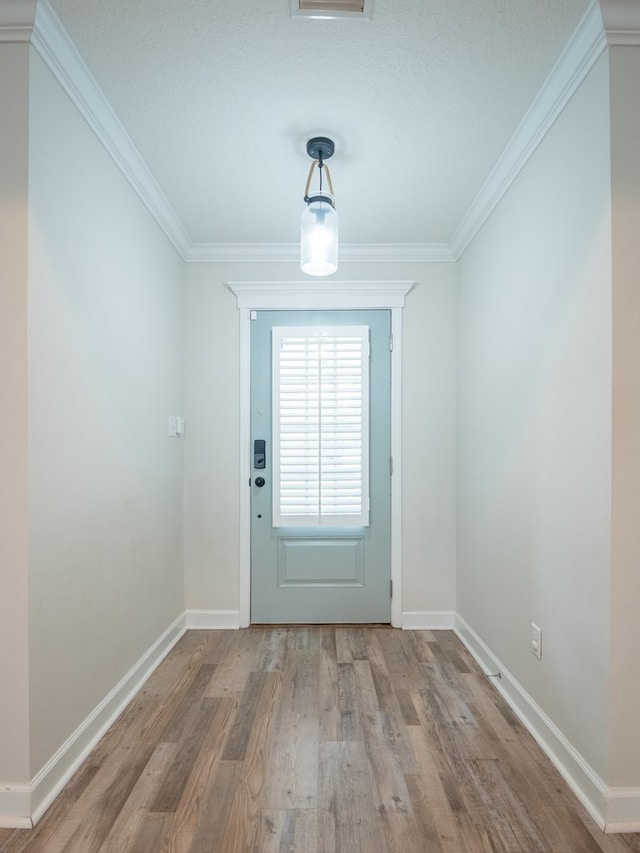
[{"x": 578, "y": 58}]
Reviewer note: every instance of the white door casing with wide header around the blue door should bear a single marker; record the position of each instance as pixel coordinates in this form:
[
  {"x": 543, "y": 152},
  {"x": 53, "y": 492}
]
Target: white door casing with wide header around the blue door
[{"x": 320, "y": 296}]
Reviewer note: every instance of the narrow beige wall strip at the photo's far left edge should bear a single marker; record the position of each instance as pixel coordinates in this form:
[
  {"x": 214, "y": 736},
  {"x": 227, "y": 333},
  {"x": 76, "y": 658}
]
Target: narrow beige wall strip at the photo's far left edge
[{"x": 14, "y": 669}]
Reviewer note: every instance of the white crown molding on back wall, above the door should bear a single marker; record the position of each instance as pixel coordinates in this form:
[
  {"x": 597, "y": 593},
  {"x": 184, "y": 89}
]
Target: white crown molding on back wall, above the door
[{"x": 287, "y": 252}]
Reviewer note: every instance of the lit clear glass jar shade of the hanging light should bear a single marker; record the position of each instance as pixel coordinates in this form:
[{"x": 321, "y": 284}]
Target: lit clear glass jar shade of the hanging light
[{"x": 319, "y": 236}]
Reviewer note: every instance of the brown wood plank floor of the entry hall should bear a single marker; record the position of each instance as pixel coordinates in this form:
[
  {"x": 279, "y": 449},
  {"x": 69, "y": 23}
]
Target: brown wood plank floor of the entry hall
[{"x": 316, "y": 738}]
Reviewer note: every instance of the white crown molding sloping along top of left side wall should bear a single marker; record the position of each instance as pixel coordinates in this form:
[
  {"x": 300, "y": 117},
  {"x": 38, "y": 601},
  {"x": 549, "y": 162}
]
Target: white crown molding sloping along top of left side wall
[{"x": 53, "y": 44}]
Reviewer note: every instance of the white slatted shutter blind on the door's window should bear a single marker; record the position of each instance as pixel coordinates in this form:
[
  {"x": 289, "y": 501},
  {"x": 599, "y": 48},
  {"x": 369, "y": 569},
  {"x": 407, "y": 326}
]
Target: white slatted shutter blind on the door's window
[{"x": 321, "y": 426}]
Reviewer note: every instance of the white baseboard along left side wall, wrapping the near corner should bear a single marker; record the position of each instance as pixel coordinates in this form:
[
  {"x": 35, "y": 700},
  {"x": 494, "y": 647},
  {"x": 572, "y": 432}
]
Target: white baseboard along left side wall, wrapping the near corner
[{"x": 22, "y": 806}]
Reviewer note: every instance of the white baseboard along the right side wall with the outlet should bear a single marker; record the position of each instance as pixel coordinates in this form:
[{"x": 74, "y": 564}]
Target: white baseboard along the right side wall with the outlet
[{"x": 581, "y": 778}]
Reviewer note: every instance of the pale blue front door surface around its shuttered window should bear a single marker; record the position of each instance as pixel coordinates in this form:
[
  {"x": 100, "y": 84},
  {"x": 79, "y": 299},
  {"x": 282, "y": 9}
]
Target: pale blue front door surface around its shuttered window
[{"x": 319, "y": 573}]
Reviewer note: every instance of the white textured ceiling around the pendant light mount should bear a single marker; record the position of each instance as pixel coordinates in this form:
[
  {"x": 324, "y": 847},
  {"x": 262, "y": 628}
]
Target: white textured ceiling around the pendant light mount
[{"x": 220, "y": 98}]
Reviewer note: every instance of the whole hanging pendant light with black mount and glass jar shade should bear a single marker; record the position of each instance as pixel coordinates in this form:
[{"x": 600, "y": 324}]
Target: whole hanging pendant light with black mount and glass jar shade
[{"x": 319, "y": 224}]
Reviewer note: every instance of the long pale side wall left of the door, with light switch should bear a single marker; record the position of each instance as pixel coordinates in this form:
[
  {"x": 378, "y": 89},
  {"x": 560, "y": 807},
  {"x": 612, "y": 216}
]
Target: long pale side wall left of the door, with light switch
[{"x": 105, "y": 373}]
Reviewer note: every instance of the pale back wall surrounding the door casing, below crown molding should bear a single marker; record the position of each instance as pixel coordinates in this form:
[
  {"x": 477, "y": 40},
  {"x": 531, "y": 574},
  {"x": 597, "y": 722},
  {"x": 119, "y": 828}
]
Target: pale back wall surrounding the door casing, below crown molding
[{"x": 212, "y": 451}]
